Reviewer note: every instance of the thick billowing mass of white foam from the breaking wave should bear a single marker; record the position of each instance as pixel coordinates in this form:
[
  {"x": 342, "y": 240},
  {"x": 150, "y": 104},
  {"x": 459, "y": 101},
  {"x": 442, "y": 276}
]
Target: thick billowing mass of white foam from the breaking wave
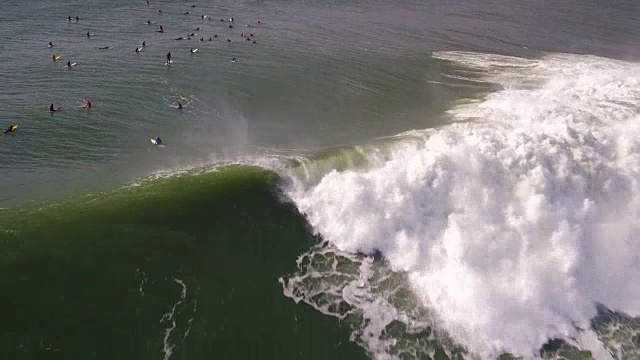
[{"x": 512, "y": 228}]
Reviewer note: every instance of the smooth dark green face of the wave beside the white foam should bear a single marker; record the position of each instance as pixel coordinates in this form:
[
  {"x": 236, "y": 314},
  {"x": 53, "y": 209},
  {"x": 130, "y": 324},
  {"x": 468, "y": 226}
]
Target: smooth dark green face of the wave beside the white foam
[{"x": 179, "y": 267}]
